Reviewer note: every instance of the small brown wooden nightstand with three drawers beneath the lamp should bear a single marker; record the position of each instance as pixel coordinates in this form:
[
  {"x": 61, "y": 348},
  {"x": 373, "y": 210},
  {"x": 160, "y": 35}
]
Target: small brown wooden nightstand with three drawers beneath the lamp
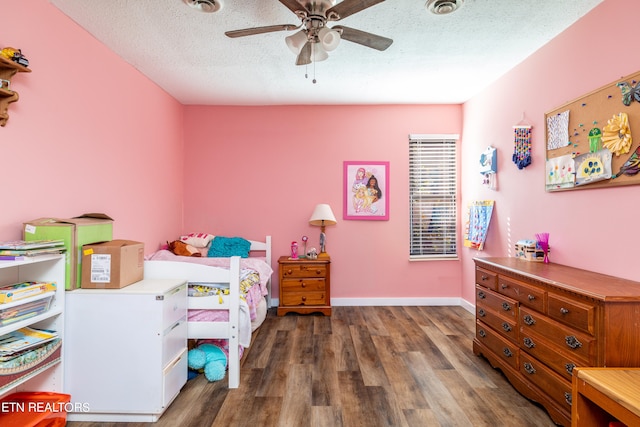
[{"x": 304, "y": 286}]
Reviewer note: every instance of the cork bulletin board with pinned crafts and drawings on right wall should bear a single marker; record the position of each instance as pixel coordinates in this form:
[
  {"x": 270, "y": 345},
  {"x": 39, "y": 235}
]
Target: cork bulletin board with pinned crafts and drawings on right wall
[{"x": 594, "y": 141}]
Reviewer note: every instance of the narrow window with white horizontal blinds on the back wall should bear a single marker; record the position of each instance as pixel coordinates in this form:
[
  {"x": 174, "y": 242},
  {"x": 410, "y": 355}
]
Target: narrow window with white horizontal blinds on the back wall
[{"x": 433, "y": 202}]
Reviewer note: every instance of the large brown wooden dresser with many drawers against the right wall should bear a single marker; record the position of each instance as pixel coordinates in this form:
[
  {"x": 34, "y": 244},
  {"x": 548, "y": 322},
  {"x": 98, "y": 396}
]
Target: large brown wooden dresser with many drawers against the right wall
[{"x": 536, "y": 322}]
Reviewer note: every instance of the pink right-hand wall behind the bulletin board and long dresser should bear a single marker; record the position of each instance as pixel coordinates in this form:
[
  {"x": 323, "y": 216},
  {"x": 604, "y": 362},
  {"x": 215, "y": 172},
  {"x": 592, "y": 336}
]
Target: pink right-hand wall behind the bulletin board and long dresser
[{"x": 590, "y": 229}]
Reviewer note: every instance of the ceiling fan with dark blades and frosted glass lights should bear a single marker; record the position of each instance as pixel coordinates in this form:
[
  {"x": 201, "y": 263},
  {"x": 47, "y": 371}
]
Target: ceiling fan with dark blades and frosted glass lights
[{"x": 315, "y": 39}]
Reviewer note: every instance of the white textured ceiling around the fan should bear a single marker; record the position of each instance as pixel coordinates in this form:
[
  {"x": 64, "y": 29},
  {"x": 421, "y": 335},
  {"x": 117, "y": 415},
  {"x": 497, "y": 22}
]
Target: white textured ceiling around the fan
[{"x": 433, "y": 59}]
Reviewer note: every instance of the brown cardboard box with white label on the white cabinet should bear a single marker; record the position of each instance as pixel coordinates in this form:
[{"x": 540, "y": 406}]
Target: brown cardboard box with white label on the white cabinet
[{"x": 112, "y": 265}]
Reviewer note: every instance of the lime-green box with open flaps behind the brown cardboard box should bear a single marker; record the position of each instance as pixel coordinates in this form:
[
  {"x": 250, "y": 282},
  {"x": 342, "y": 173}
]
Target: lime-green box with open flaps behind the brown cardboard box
[{"x": 75, "y": 232}]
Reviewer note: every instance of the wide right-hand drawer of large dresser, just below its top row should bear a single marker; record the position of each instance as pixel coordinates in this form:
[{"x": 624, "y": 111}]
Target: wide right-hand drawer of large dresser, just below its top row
[{"x": 557, "y": 335}]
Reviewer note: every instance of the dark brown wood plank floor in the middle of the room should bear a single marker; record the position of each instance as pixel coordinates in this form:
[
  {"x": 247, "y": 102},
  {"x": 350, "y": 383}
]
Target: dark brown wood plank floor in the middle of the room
[{"x": 363, "y": 366}]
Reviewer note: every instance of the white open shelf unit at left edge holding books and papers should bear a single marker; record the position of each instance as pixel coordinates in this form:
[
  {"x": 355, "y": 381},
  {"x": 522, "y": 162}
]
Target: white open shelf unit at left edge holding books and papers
[{"x": 48, "y": 375}]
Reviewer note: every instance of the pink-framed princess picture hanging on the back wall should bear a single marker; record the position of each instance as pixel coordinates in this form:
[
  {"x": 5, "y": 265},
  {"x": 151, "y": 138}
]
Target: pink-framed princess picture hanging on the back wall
[{"x": 366, "y": 190}]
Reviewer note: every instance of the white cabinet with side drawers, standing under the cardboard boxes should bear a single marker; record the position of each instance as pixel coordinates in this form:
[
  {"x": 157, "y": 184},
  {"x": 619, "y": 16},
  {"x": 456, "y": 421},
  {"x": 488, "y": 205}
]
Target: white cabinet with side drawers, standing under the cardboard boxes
[{"x": 126, "y": 353}]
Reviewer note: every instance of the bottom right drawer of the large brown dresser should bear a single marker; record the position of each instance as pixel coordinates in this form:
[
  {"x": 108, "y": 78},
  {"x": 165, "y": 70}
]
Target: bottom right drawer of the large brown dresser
[{"x": 547, "y": 380}]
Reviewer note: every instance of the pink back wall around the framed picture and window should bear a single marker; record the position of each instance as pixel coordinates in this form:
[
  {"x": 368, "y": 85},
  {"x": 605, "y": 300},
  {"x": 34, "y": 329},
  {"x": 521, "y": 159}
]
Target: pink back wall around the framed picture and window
[{"x": 253, "y": 171}]
